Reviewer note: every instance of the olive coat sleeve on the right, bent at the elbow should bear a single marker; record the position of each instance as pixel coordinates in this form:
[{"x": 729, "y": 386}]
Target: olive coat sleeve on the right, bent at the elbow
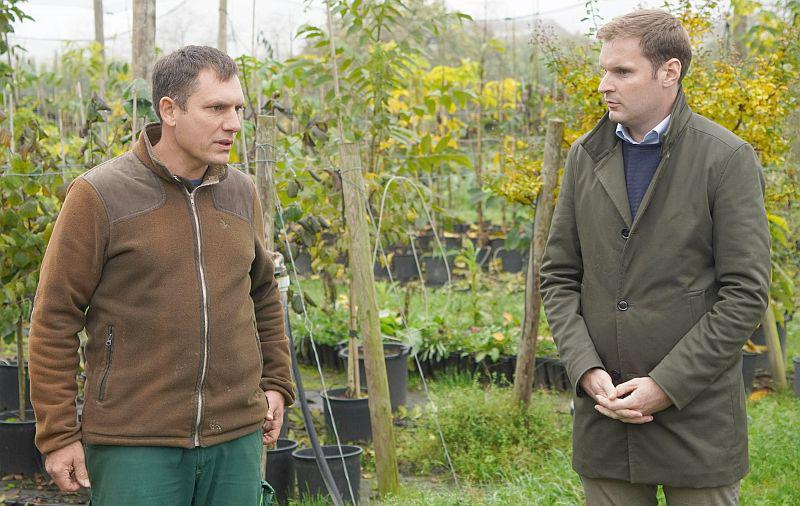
[{"x": 742, "y": 265}]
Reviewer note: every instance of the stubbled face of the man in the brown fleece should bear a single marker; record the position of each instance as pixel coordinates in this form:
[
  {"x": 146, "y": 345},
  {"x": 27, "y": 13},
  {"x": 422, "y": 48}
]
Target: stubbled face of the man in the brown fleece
[{"x": 204, "y": 132}]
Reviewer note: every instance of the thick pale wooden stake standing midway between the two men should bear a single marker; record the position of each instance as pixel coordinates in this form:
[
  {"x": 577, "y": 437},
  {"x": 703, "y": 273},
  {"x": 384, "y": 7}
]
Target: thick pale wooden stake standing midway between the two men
[{"x": 364, "y": 286}]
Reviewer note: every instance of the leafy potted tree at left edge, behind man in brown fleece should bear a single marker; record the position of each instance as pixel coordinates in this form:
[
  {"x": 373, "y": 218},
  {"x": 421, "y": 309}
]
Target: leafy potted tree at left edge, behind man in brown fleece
[{"x": 28, "y": 207}]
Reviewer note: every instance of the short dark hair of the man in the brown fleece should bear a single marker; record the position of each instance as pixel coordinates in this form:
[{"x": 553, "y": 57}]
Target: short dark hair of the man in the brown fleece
[{"x": 175, "y": 75}]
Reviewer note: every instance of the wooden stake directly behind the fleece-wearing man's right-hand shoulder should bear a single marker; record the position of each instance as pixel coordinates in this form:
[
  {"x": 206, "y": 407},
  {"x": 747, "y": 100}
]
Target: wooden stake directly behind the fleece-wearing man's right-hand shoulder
[{"x": 266, "y": 137}]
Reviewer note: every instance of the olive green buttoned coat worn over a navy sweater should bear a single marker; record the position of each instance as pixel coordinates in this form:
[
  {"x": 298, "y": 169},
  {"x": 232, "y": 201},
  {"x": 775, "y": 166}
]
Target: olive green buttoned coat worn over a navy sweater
[{"x": 693, "y": 270}]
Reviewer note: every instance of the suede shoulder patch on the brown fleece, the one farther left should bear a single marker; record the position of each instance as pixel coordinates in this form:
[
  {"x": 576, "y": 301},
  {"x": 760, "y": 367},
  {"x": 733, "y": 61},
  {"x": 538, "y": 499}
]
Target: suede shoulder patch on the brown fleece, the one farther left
[{"x": 126, "y": 186}]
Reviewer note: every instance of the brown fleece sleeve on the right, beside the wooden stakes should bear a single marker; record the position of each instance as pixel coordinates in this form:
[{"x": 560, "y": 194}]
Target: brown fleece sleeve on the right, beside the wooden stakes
[{"x": 276, "y": 358}]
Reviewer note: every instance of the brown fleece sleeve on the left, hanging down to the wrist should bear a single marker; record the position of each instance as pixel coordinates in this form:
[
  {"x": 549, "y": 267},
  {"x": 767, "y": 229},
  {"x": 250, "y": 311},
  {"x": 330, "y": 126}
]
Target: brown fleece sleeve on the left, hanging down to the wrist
[{"x": 71, "y": 269}]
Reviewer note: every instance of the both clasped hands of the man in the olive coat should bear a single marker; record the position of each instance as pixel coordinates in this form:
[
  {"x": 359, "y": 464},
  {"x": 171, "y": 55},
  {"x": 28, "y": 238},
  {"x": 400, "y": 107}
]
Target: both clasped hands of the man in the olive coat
[{"x": 634, "y": 401}]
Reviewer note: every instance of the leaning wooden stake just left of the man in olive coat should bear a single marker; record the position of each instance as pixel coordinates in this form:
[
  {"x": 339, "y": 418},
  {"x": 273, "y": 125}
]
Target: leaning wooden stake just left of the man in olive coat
[{"x": 526, "y": 356}]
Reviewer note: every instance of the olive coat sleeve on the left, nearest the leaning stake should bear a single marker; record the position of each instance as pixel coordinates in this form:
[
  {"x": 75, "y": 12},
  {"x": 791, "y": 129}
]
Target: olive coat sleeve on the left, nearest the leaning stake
[{"x": 561, "y": 277}]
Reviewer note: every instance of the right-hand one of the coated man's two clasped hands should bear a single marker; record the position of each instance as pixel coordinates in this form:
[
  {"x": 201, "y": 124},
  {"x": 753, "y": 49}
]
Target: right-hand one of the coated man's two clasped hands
[{"x": 639, "y": 395}]
